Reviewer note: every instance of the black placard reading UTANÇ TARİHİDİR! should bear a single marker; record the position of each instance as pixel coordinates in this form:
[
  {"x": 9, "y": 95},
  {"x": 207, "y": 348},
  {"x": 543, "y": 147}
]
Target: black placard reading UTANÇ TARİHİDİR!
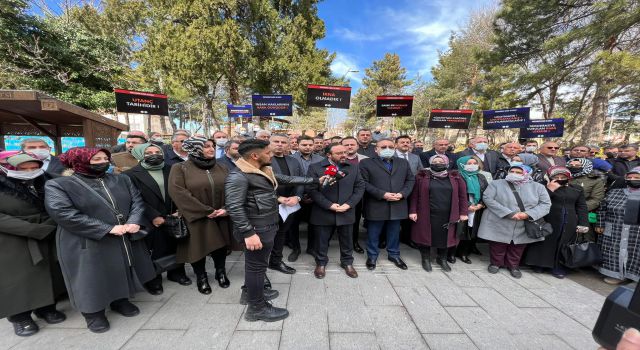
[{"x": 141, "y": 102}]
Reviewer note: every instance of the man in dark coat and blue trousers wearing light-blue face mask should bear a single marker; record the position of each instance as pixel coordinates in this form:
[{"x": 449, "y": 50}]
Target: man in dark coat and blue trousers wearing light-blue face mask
[{"x": 388, "y": 184}]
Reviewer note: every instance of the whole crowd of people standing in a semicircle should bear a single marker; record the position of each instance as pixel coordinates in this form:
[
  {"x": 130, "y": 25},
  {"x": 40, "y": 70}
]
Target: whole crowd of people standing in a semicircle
[{"x": 101, "y": 225}]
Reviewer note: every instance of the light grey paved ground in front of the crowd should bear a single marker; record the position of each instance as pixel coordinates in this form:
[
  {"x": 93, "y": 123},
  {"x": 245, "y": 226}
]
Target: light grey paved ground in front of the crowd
[{"x": 467, "y": 308}]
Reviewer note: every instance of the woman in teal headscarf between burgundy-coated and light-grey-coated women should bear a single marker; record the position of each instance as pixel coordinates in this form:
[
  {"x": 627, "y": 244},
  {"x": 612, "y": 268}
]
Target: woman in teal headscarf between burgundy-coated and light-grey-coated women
[{"x": 477, "y": 183}]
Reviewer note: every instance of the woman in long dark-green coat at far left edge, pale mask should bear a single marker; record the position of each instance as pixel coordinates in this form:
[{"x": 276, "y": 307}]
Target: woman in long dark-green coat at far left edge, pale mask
[{"x": 30, "y": 277}]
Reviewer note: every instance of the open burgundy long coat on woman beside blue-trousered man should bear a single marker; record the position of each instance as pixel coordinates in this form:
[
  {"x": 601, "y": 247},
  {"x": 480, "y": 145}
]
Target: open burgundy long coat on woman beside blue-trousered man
[{"x": 419, "y": 204}]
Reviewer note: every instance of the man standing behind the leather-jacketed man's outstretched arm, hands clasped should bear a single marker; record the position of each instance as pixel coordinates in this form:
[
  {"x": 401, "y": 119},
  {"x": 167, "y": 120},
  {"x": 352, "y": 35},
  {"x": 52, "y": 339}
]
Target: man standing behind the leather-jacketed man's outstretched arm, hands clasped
[{"x": 287, "y": 195}]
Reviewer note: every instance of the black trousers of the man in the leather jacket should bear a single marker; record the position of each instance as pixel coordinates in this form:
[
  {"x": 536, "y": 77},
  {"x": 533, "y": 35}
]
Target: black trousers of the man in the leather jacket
[{"x": 256, "y": 262}]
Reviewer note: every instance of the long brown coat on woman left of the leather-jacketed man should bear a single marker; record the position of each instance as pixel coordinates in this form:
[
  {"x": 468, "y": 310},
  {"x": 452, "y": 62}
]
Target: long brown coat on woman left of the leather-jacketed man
[{"x": 196, "y": 197}]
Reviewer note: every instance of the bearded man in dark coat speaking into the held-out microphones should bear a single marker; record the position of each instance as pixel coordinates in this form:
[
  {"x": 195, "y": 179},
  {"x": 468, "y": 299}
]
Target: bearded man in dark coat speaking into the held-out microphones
[{"x": 334, "y": 208}]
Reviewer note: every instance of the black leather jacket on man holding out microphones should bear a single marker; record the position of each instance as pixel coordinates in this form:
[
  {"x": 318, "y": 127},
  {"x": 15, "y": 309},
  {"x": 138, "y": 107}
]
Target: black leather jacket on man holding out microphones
[{"x": 251, "y": 200}]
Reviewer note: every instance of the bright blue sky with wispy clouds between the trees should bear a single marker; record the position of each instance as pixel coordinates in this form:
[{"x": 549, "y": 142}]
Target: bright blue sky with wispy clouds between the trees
[{"x": 361, "y": 31}]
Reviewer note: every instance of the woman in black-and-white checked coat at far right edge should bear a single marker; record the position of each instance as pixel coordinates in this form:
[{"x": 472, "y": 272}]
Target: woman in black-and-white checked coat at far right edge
[{"x": 619, "y": 243}]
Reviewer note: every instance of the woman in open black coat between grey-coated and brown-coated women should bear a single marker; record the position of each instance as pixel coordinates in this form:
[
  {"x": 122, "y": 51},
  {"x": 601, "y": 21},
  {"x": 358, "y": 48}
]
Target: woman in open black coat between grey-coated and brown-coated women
[{"x": 151, "y": 178}]
